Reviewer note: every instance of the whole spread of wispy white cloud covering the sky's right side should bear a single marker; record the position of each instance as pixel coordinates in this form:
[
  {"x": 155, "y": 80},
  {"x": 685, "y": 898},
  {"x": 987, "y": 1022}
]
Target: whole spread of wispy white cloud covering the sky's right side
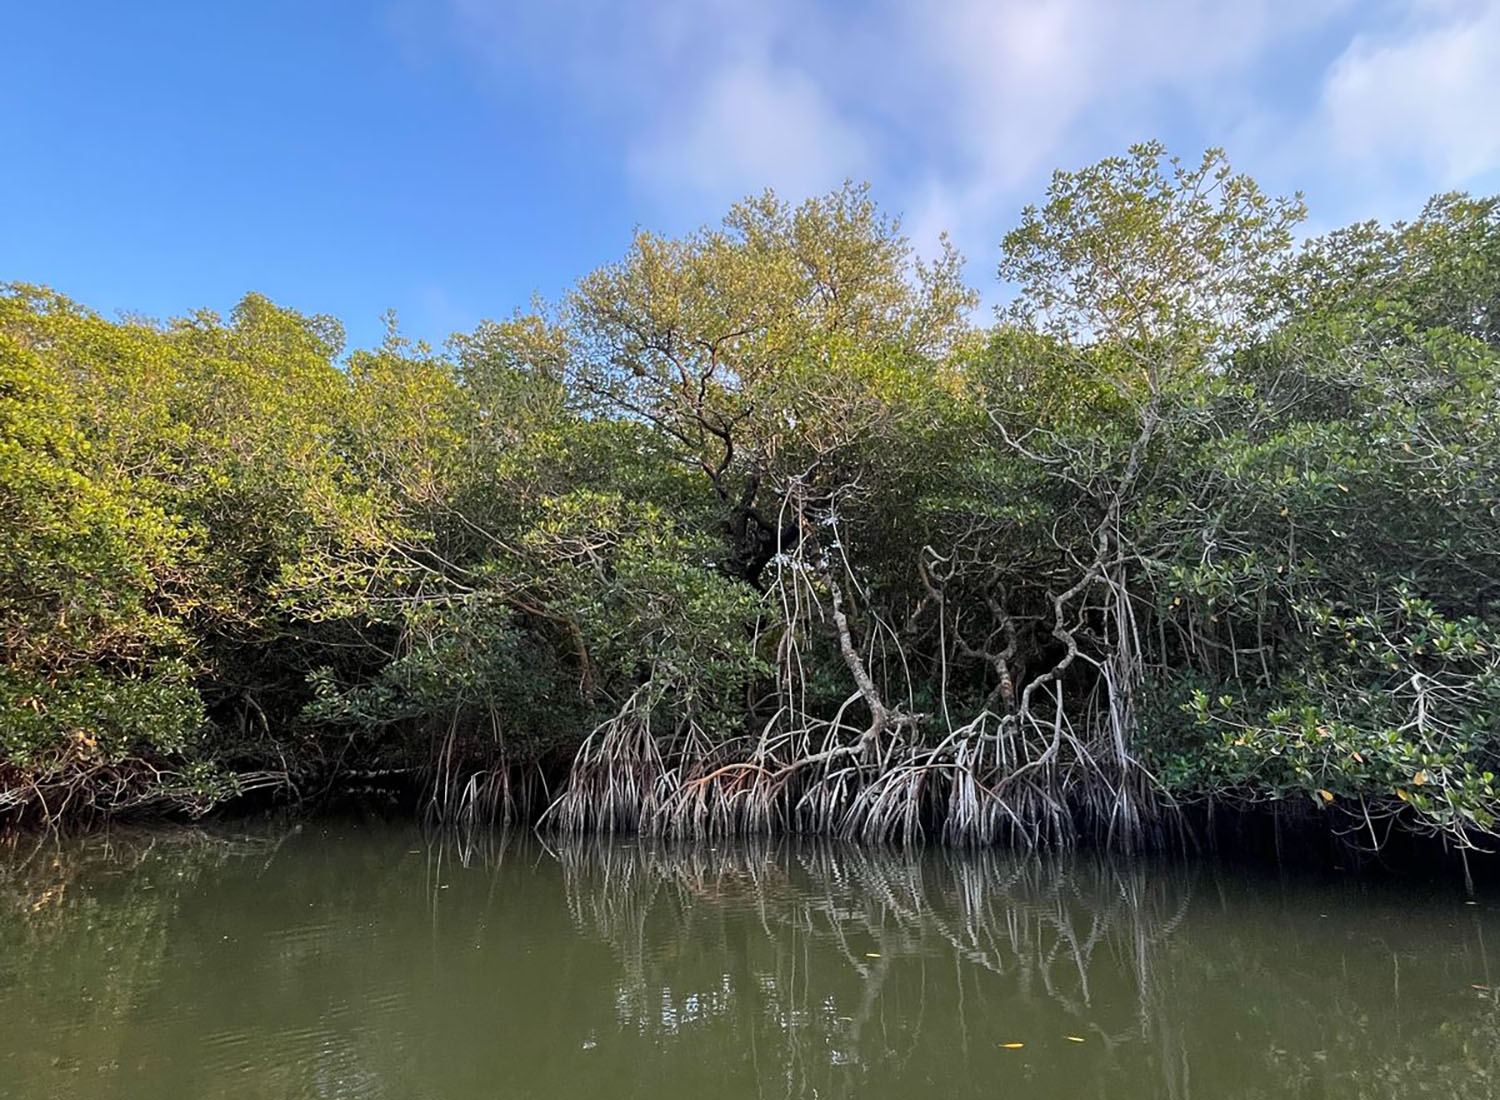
[{"x": 958, "y": 109}]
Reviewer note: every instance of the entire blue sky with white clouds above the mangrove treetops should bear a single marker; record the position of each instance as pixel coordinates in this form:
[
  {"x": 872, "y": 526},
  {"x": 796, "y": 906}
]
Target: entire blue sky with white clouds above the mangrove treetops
[{"x": 454, "y": 158}]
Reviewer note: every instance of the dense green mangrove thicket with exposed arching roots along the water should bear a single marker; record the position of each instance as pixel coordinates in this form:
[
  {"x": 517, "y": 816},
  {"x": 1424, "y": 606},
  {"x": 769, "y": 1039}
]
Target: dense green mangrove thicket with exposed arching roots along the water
[{"x": 760, "y": 529}]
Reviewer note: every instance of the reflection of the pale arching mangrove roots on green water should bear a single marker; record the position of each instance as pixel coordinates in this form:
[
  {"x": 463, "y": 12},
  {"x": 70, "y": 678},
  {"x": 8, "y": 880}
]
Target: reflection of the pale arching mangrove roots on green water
[{"x": 854, "y": 967}]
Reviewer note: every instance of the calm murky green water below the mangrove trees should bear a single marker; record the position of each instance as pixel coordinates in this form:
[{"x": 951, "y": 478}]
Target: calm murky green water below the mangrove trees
[{"x": 358, "y": 961}]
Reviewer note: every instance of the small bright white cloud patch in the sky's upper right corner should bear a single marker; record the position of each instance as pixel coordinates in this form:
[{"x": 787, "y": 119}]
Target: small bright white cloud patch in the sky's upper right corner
[{"x": 1424, "y": 98}]
